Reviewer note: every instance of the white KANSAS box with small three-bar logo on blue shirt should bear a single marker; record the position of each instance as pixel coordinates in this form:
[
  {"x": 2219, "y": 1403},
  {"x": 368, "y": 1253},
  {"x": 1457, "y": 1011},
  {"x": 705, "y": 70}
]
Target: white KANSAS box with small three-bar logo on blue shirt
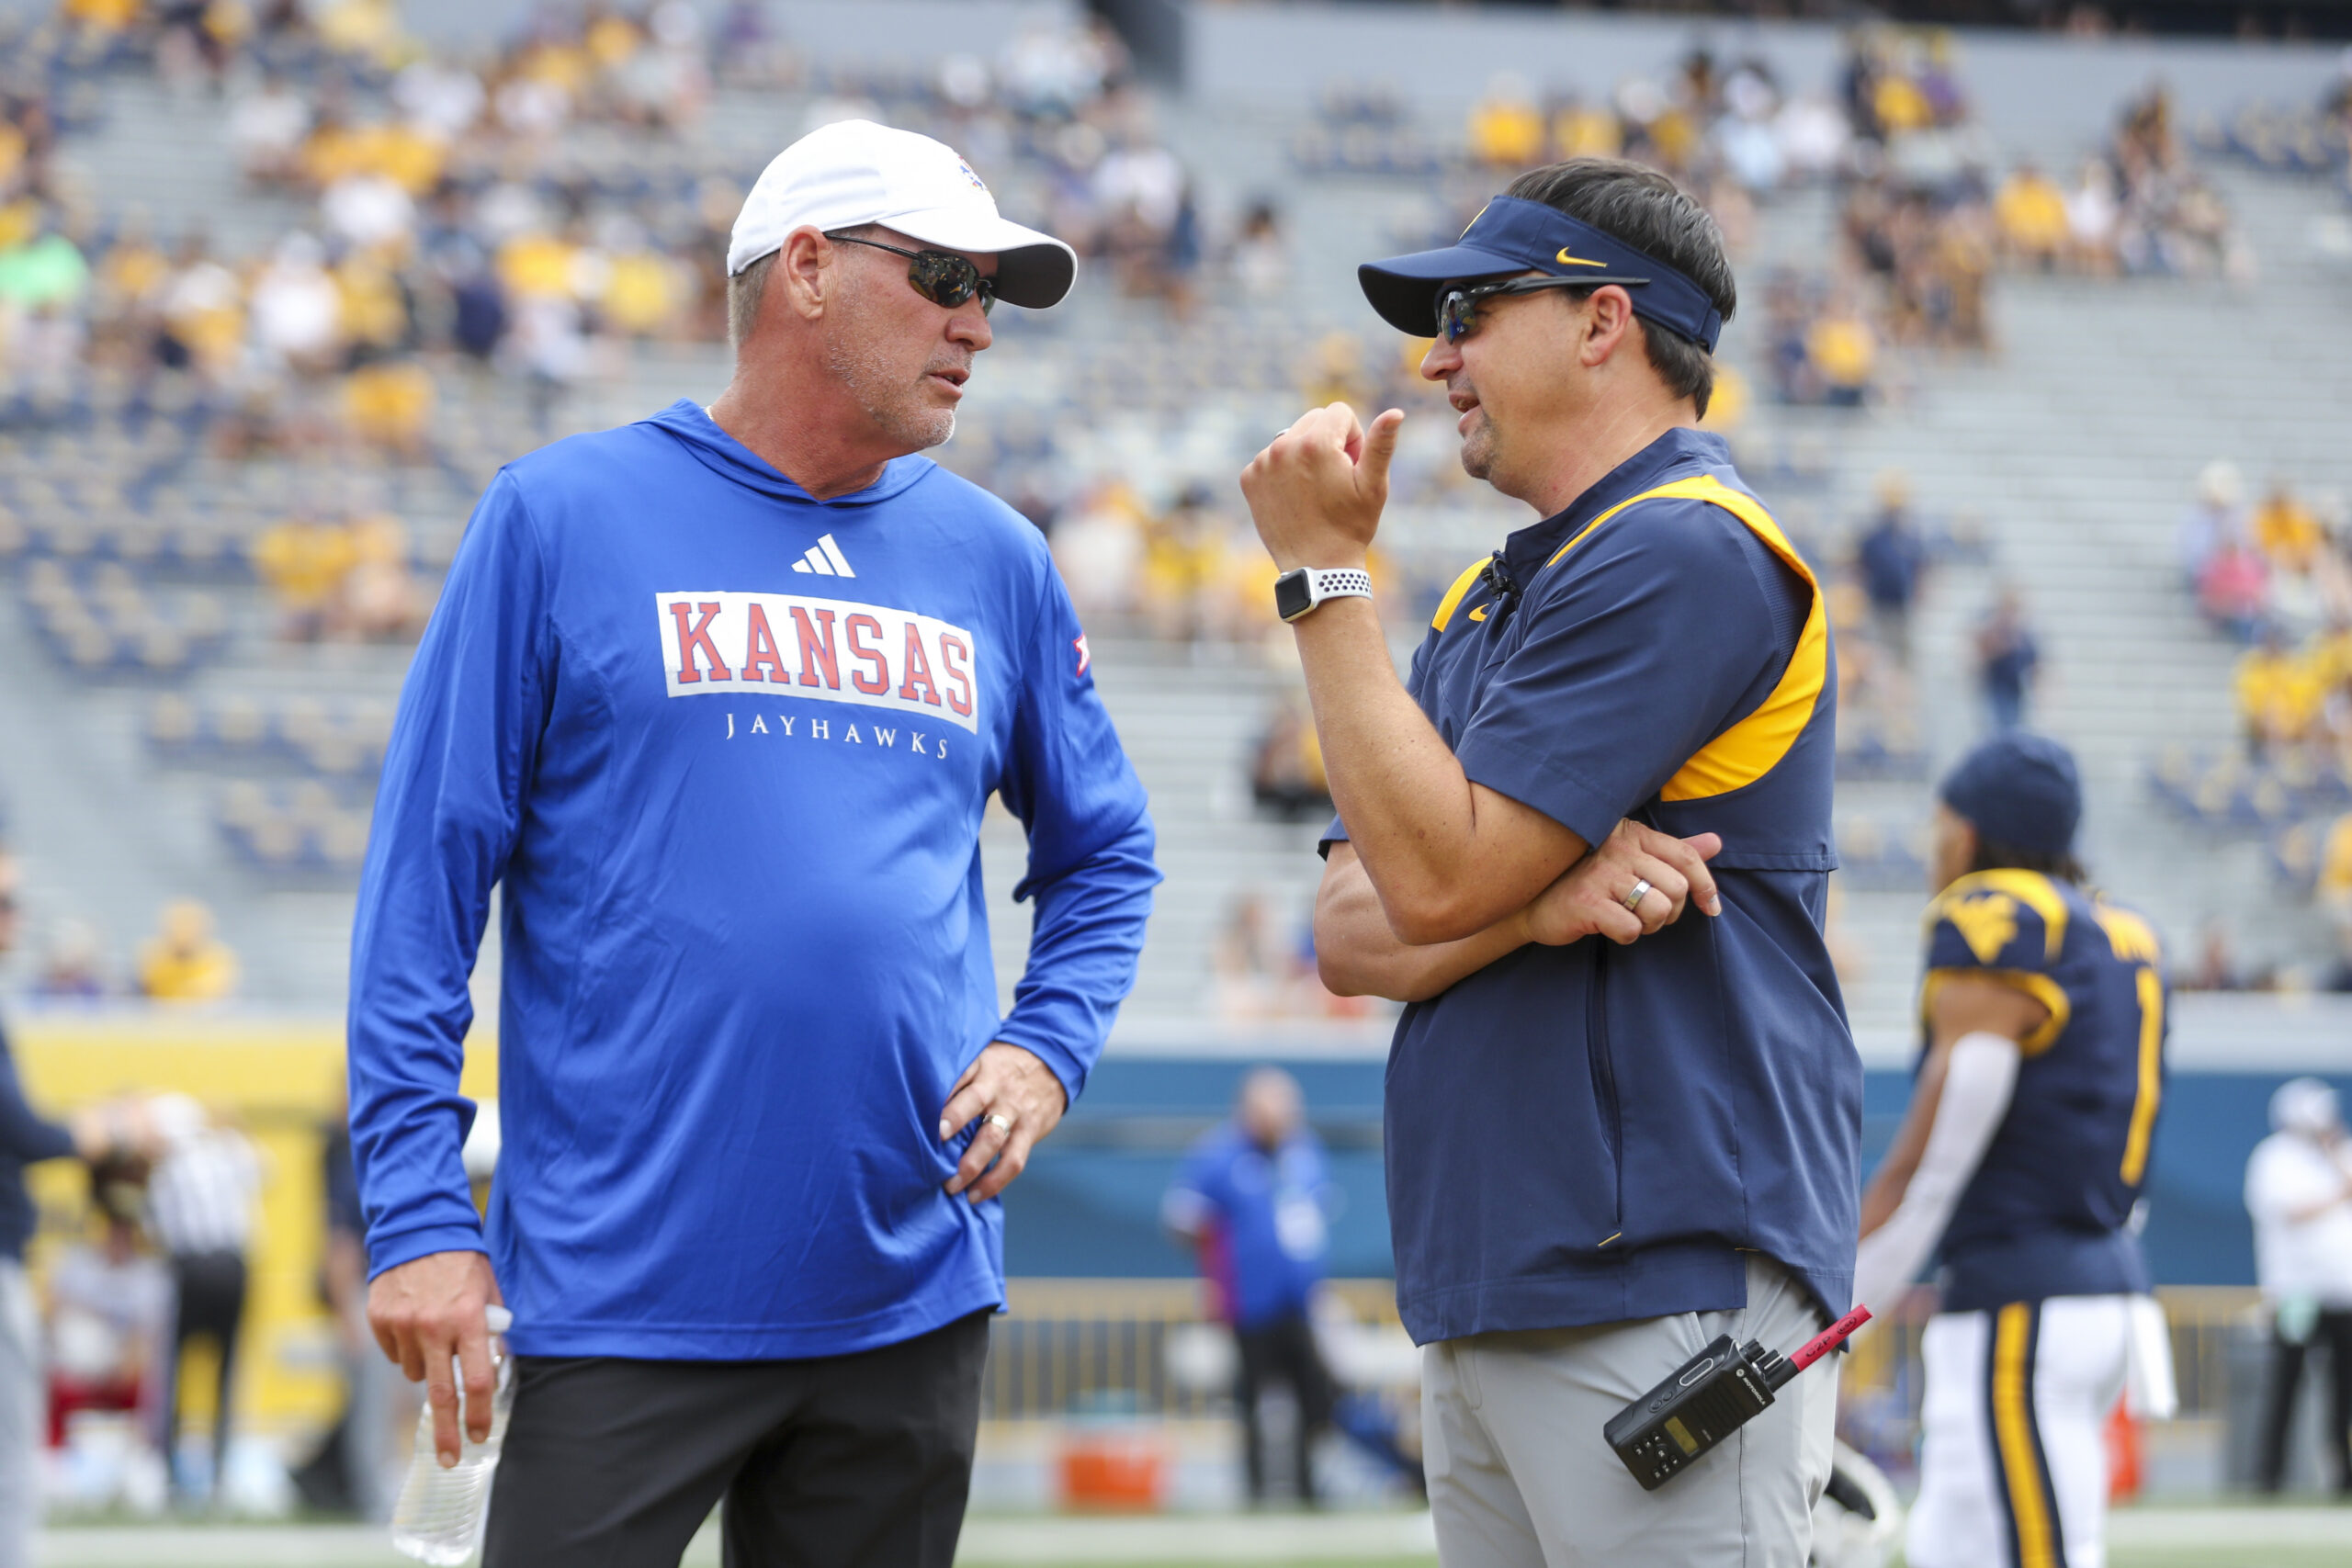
[{"x": 754, "y": 645}]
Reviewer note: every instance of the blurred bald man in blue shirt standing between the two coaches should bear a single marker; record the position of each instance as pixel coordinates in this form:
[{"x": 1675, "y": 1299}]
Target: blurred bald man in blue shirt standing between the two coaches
[{"x": 1252, "y": 1202}]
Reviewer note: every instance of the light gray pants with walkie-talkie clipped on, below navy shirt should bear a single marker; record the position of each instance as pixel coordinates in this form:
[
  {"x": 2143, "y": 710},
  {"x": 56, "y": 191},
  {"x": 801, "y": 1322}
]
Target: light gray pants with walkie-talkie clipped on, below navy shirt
[{"x": 1523, "y": 1480}]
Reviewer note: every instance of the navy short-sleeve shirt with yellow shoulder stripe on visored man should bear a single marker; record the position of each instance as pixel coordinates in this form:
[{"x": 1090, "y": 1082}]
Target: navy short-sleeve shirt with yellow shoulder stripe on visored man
[{"x": 1596, "y": 1134}]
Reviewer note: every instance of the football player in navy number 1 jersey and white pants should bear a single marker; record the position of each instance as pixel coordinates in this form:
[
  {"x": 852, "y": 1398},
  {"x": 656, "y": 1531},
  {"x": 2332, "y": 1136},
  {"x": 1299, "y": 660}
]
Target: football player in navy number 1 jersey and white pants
[{"x": 2024, "y": 1155}]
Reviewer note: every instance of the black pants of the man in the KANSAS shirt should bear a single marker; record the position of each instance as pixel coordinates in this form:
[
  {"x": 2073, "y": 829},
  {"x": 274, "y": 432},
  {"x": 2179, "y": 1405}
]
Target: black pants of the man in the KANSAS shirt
[{"x": 829, "y": 1463}]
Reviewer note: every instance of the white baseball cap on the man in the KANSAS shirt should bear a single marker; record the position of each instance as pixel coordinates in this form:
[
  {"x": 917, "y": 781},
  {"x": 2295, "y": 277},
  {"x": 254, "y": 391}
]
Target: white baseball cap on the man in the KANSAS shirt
[{"x": 860, "y": 173}]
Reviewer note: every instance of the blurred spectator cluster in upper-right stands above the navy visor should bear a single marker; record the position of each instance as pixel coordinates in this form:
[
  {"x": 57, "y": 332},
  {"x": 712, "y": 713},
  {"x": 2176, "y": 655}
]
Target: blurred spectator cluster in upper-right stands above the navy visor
[{"x": 1923, "y": 220}]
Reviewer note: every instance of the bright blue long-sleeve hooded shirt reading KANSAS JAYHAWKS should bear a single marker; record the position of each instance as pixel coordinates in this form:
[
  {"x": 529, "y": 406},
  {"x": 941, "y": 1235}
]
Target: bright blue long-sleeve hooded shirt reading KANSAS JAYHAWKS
[{"x": 728, "y": 753}]
